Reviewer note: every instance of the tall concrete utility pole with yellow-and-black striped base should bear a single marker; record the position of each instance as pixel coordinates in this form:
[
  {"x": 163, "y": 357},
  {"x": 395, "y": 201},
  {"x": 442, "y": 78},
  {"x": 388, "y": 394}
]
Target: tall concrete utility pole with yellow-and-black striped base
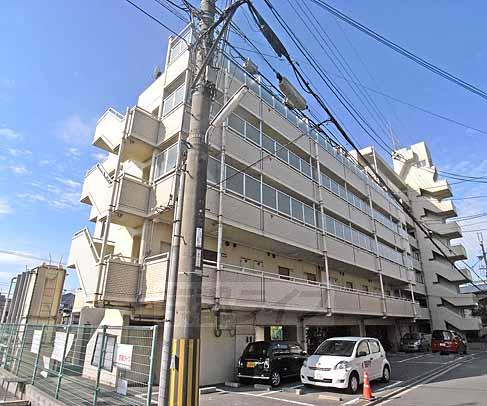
[{"x": 185, "y": 360}]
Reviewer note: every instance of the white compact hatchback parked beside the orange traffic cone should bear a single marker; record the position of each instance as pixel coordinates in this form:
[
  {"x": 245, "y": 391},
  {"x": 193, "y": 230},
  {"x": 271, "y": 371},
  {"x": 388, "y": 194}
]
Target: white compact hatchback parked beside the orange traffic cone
[{"x": 342, "y": 361}]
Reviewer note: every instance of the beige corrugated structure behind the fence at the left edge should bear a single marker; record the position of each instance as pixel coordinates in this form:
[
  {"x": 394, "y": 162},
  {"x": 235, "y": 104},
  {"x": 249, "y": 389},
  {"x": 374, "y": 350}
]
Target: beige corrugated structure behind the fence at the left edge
[{"x": 36, "y": 296}]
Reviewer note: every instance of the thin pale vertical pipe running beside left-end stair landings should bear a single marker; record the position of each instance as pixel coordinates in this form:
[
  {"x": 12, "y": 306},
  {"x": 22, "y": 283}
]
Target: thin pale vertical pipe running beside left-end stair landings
[{"x": 111, "y": 207}]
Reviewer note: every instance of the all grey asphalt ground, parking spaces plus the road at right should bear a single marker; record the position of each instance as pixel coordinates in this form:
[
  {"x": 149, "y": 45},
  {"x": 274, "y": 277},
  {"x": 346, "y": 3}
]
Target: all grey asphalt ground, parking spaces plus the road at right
[{"x": 463, "y": 375}]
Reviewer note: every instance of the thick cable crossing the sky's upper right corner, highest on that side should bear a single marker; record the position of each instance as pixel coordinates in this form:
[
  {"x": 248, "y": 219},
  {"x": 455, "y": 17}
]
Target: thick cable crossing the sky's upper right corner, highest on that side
[{"x": 401, "y": 50}]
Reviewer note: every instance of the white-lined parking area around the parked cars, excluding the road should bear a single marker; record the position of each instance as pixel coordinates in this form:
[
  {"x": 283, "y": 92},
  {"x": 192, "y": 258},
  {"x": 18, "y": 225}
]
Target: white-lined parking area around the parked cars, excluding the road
[{"x": 406, "y": 367}]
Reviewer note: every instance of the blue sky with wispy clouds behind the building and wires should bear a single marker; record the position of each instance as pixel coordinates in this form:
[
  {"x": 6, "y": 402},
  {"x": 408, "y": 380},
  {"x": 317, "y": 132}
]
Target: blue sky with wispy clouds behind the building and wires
[{"x": 63, "y": 64}]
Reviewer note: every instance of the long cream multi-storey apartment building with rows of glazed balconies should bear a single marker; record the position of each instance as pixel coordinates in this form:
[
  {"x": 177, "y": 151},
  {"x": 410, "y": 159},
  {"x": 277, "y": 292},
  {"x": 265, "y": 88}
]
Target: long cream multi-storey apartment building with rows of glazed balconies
[{"x": 301, "y": 246}]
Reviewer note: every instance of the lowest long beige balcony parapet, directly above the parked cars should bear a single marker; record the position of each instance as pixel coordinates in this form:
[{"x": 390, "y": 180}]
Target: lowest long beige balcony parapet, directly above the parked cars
[{"x": 253, "y": 289}]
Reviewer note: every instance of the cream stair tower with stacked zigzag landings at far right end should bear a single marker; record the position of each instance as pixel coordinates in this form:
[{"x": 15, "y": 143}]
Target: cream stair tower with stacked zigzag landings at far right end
[{"x": 428, "y": 197}]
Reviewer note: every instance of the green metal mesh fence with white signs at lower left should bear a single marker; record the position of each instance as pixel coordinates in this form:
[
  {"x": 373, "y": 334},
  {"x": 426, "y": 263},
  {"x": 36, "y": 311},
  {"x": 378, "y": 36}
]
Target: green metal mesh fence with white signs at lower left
[{"x": 83, "y": 364}]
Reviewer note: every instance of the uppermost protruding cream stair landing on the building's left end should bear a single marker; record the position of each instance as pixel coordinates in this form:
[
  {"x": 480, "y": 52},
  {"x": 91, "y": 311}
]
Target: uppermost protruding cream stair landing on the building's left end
[{"x": 142, "y": 133}]
